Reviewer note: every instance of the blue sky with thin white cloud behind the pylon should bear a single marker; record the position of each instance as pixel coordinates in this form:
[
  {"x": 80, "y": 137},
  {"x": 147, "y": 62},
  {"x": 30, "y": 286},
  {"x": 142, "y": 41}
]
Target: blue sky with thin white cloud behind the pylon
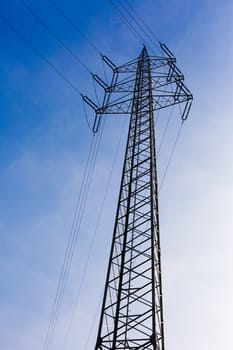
[{"x": 44, "y": 142}]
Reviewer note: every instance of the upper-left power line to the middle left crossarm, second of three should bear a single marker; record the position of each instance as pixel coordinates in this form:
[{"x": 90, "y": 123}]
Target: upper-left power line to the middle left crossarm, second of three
[{"x": 51, "y": 32}]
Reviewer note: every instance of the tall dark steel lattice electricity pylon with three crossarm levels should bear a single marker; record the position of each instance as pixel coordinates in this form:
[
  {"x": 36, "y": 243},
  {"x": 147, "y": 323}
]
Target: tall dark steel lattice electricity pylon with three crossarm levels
[{"x": 132, "y": 310}]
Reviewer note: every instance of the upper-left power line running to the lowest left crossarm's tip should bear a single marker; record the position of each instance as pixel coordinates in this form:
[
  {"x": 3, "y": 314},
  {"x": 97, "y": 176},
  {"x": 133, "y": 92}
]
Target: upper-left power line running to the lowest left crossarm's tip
[{"x": 48, "y": 62}]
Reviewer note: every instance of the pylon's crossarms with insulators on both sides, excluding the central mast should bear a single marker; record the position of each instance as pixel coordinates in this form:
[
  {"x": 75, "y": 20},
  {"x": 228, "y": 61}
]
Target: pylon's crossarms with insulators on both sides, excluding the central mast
[{"x": 167, "y": 85}]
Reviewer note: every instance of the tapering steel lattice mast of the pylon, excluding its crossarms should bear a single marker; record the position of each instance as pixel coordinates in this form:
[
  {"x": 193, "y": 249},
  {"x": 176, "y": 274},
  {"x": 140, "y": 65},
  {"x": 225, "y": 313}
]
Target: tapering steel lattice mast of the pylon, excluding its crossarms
[{"x": 132, "y": 311}]
